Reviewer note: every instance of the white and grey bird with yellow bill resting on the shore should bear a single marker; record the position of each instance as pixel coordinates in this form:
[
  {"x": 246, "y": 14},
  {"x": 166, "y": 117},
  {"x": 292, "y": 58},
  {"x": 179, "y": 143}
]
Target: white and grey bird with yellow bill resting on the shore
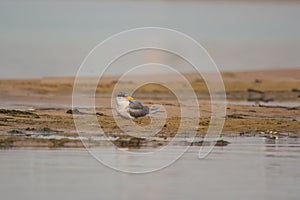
[{"x": 128, "y": 107}]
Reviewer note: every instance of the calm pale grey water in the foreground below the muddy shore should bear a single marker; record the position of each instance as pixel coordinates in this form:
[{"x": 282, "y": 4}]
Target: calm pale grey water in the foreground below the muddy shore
[{"x": 248, "y": 168}]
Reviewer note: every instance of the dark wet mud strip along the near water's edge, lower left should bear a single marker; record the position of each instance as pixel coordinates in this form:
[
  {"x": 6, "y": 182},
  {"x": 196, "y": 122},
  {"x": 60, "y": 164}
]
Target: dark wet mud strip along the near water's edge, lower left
[{"x": 119, "y": 142}]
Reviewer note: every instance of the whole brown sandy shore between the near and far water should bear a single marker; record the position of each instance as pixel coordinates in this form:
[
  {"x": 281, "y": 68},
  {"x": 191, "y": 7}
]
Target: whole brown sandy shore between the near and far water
[{"x": 264, "y": 103}]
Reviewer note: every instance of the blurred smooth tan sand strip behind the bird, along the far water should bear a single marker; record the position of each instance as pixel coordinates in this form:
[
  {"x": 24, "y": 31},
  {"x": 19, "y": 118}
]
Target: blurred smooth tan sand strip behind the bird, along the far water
[{"x": 253, "y": 86}]
